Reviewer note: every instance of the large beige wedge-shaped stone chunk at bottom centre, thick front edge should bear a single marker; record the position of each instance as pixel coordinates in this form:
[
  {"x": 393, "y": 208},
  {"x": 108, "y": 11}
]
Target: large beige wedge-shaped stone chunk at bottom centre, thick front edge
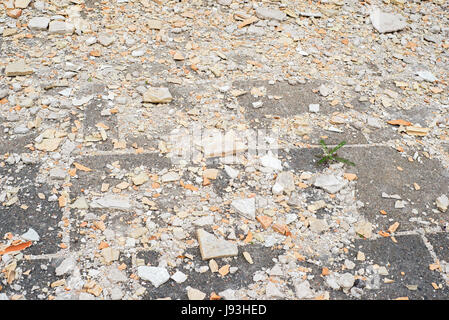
[{"x": 211, "y": 247}]
